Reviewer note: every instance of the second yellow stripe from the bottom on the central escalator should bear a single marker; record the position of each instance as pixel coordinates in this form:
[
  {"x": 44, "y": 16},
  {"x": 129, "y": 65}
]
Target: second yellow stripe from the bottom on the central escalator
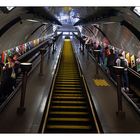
[{"x": 69, "y": 119}]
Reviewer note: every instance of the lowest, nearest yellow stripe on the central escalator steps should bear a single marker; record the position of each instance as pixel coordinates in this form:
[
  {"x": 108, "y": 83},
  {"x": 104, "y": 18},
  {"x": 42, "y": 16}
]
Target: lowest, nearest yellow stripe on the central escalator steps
[{"x": 68, "y": 127}]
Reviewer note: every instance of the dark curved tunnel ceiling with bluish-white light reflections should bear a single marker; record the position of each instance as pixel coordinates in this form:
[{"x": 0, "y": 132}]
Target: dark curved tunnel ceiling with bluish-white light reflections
[{"x": 72, "y": 15}]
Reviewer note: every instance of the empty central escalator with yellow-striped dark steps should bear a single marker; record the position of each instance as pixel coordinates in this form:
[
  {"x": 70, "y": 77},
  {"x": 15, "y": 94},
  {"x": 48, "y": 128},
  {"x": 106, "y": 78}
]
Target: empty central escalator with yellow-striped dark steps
[{"x": 69, "y": 110}]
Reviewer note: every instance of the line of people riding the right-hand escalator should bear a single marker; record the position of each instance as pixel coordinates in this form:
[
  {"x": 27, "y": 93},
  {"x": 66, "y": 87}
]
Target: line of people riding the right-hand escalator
[{"x": 107, "y": 59}]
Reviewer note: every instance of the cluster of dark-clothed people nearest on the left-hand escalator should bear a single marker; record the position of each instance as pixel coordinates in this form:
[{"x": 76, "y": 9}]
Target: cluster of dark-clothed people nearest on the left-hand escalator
[{"x": 9, "y": 71}]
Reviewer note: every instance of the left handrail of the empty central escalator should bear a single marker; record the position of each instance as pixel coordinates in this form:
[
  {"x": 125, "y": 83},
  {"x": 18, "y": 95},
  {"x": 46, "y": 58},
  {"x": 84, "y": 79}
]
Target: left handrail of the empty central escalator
[{"x": 48, "y": 102}]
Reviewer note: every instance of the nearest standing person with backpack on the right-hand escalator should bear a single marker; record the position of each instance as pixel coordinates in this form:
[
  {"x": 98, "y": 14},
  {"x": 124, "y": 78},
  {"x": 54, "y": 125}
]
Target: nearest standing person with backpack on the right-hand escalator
[{"x": 121, "y": 61}]
